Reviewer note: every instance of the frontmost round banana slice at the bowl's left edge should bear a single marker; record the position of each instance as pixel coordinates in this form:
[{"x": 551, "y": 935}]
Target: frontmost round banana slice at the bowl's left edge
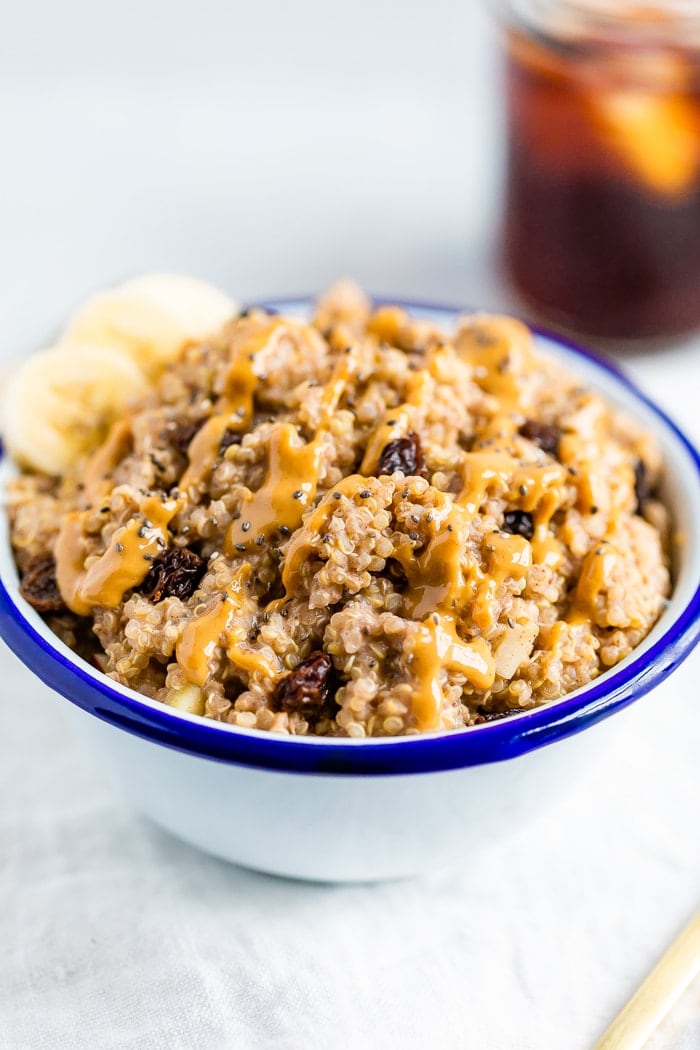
[{"x": 60, "y": 404}]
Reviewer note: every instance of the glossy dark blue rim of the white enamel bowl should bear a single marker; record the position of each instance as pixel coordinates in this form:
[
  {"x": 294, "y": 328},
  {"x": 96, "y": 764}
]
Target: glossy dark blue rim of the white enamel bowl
[{"x": 431, "y": 753}]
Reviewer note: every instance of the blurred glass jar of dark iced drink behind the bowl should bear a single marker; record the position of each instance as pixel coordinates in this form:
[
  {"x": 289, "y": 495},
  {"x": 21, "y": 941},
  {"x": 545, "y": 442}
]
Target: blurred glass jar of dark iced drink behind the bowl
[{"x": 603, "y": 217}]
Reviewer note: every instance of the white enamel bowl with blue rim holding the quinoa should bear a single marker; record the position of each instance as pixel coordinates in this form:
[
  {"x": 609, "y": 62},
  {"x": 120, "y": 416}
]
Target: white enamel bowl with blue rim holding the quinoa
[{"x": 343, "y": 810}]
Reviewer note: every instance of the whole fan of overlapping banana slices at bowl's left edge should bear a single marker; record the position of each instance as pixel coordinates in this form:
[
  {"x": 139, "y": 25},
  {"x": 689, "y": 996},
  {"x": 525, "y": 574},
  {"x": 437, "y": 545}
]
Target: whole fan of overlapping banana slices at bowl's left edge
[{"x": 59, "y": 404}]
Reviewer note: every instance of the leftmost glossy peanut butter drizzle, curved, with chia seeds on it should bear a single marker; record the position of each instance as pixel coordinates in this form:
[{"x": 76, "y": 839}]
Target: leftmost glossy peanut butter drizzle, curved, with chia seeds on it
[{"x": 123, "y": 565}]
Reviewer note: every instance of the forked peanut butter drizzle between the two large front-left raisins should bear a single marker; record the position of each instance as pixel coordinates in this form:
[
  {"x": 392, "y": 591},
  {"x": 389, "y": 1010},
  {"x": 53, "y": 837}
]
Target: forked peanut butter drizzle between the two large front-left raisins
[{"x": 222, "y": 625}]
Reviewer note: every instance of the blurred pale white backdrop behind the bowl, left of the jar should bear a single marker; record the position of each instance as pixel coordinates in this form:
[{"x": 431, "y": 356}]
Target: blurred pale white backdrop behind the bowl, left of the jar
[{"x": 267, "y": 146}]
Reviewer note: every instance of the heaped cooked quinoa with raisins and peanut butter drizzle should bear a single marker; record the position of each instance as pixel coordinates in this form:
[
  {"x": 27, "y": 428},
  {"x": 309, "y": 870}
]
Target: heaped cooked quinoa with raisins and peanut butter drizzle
[{"x": 359, "y": 527}]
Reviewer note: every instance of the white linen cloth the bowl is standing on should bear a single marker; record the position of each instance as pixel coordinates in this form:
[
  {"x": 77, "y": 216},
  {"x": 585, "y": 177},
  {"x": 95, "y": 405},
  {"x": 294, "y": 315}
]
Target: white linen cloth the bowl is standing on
[{"x": 115, "y": 935}]
